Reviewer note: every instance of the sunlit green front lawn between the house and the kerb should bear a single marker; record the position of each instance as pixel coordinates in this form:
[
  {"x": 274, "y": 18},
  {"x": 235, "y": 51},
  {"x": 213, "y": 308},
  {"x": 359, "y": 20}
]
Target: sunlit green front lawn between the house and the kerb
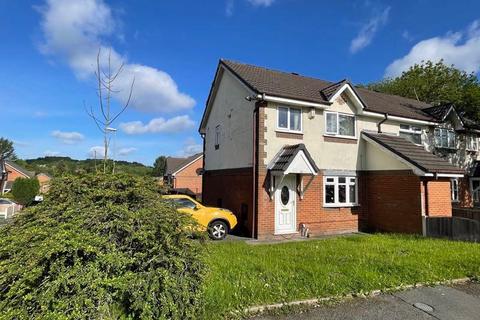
[{"x": 243, "y": 275}]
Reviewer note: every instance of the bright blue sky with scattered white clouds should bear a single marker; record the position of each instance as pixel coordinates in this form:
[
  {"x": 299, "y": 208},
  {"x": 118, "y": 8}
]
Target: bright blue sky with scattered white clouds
[{"x": 172, "y": 49}]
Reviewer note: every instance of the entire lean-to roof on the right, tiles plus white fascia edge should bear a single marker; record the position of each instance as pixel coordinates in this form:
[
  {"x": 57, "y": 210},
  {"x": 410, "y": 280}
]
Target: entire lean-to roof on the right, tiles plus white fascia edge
[{"x": 422, "y": 162}]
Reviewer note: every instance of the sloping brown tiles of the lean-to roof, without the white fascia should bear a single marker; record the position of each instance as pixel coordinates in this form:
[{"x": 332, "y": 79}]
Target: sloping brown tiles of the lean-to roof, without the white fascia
[{"x": 415, "y": 155}]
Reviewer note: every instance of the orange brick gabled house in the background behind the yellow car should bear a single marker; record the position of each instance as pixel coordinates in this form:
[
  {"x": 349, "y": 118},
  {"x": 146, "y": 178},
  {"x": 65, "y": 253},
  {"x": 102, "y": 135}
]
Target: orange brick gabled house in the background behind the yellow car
[{"x": 184, "y": 174}]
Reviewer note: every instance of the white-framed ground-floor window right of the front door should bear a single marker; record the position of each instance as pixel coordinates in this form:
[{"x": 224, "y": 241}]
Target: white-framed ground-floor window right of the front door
[{"x": 340, "y": 191}]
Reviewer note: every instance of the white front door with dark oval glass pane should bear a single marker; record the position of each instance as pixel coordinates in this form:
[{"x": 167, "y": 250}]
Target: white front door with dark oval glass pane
[{"x": 286, "y": 206}]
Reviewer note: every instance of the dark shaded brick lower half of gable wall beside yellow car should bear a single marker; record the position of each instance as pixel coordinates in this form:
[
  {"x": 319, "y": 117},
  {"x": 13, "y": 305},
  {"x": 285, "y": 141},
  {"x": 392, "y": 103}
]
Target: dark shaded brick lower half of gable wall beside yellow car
[{"x": 231, "y": 189}]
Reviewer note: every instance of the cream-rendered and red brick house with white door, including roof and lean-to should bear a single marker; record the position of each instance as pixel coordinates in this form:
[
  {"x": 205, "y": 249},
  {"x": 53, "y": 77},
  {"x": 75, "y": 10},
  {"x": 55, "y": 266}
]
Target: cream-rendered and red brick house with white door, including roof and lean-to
[{"x": 288, "y": 153}]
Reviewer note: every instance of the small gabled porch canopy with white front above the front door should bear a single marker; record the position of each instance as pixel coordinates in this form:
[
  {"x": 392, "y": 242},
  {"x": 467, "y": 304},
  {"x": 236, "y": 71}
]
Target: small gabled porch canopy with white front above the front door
[{"x": 291, "y": 159}]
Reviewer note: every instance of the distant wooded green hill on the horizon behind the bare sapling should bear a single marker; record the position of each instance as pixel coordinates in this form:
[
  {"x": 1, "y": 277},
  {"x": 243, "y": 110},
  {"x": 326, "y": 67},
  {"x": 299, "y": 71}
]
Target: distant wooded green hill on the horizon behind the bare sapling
[{"x": 56, "y": 166}]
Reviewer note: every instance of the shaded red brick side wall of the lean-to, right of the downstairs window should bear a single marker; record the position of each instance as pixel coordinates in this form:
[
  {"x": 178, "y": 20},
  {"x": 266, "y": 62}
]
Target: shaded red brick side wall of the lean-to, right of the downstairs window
[{"x": 393, "y": 201}]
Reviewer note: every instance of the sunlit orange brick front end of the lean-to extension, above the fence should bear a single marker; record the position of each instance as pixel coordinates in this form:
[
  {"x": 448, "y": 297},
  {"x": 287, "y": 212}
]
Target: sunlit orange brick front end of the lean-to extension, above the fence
[{"x": 439, "y": 198}]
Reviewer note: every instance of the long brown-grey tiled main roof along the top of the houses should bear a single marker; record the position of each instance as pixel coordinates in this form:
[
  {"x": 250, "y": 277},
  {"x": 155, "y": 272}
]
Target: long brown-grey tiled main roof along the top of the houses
[{"x": 294, "y": 86}]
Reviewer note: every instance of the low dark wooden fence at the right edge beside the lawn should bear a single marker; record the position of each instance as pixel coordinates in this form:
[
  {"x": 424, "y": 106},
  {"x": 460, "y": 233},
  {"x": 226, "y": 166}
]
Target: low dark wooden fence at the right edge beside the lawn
[{"x": 455, "y": 228}]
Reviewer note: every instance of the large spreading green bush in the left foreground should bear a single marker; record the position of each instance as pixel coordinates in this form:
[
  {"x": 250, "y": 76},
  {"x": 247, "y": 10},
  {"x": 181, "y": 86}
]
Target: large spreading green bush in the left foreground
[{"x": 101, "y": 247}]
